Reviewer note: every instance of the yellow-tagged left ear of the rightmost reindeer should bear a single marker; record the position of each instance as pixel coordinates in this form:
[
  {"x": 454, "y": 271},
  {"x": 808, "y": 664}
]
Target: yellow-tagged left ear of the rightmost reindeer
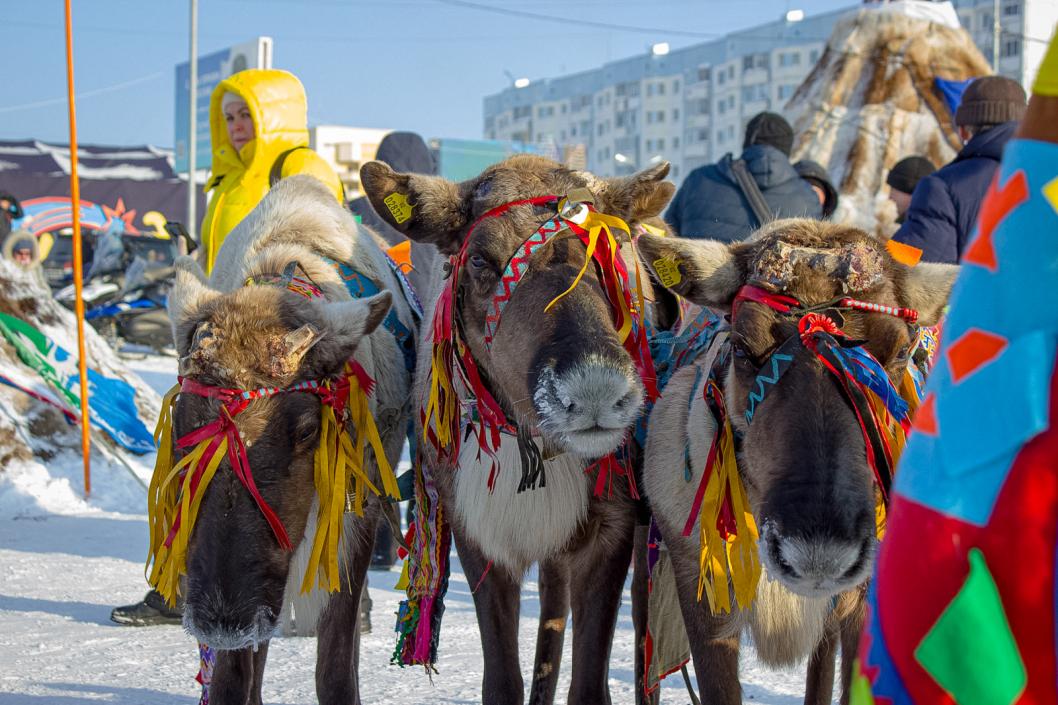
[{"x": 705, "y": 273}]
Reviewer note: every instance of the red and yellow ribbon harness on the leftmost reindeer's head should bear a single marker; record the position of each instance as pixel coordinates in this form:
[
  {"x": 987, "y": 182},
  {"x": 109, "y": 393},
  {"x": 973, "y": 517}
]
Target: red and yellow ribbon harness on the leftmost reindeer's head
[{"x": 177, "y": 491}]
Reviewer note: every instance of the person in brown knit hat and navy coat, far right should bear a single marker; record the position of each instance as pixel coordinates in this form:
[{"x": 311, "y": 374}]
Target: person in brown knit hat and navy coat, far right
[{"x": 945, "y": 205}]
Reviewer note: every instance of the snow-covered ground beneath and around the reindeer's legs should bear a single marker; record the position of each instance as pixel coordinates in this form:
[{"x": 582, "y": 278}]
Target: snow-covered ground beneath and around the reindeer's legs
[{"x": 65, "y": 563}]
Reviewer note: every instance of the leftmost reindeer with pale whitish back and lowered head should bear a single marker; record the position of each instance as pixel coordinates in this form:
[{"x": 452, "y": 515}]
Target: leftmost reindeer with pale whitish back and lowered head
[{"x": 278, "y": 316}]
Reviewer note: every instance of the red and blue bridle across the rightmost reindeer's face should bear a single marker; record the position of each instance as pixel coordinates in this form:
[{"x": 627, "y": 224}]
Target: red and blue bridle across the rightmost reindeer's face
[{"x": 860, "y": 375}]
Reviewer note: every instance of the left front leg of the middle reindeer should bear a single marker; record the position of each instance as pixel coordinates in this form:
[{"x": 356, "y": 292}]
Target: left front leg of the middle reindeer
[{"x": 497, "y": 602}]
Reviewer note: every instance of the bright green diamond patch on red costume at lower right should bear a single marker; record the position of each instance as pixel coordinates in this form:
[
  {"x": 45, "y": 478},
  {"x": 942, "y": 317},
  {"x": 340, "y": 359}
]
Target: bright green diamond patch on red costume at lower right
[{"x": 971, "y": 652}]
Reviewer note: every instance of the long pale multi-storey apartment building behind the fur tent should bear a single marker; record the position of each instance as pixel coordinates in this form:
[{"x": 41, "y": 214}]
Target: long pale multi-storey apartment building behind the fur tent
[{"x": 690, "y": 106}]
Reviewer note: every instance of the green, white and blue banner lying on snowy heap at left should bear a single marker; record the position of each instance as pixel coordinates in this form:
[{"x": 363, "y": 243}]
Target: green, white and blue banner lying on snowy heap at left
[{"x": 112, "y": 402}]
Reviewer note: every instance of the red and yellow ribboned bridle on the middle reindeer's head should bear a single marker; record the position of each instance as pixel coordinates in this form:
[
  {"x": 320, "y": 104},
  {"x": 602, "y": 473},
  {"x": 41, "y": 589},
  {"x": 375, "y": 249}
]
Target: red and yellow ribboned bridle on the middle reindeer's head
[{"x": 575, "y": 215}]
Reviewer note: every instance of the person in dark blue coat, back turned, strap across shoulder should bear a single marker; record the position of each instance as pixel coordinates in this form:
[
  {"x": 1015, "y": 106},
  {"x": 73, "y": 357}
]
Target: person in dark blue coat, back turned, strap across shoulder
[{"x": 712, "y": 205}]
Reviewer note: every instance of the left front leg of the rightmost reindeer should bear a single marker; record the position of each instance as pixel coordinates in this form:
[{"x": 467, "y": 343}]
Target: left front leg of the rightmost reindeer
[{"x": 716, "y": 657}]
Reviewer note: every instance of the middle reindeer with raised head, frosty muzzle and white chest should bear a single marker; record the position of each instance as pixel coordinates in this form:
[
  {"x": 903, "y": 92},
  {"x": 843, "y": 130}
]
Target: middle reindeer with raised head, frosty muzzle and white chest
[{"x": 563, "y": 379}]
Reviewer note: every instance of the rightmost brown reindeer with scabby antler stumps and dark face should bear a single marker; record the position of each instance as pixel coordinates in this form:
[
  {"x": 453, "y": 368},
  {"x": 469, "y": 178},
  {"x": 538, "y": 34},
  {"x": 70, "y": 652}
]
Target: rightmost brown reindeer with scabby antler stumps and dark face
[{"x": 804, "y": 457}]
